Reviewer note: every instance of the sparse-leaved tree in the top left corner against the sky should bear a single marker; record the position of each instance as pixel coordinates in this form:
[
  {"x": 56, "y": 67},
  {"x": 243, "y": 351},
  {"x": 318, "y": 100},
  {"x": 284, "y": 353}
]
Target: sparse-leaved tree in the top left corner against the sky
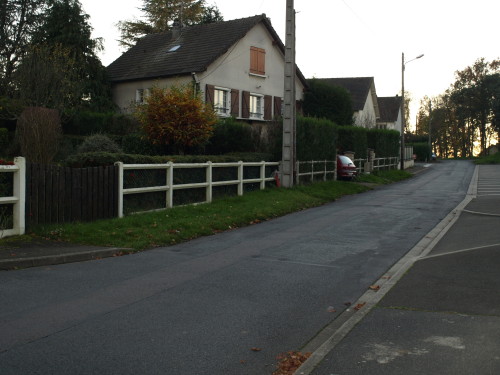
[{"x": 18, "y": 20}]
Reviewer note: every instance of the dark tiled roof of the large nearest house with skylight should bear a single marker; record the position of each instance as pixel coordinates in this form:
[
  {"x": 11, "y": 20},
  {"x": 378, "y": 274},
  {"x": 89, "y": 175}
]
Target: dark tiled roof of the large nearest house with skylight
[{"x": 200, "y": 45}]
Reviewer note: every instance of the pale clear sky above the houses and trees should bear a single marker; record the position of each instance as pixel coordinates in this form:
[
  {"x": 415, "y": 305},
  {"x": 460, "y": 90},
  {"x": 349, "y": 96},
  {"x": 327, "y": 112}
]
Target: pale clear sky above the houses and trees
[{"x": 357, "y": 38}]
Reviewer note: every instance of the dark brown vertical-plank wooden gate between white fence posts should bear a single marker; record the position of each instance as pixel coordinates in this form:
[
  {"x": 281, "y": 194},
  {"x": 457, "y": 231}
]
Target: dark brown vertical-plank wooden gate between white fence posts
[{"x": 61, "y": 195}]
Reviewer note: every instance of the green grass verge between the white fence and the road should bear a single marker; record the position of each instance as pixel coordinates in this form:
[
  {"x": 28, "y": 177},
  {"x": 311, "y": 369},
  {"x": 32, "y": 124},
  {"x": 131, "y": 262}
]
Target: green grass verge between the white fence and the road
[{"x": 168, "y": 227}]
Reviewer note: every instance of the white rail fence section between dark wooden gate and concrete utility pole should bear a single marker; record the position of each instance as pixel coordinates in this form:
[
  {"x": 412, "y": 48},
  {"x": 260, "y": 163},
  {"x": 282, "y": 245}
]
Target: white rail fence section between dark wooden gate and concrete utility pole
[{"x": 169, "y": 187}]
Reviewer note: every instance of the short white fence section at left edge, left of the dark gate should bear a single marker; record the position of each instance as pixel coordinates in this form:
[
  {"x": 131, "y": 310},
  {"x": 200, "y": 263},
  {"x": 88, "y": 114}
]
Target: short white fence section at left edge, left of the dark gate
[{"x": 17, "y": 199}]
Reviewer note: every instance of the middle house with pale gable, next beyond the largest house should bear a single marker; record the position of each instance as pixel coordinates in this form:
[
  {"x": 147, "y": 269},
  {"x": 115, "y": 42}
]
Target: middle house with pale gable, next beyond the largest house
[{"x": 364, "y": 98}]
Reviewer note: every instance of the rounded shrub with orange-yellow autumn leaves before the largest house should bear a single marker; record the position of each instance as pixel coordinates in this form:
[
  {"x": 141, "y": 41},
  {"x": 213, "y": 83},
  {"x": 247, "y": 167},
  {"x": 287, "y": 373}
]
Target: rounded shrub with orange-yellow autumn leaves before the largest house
[{"x": 176, "y": 116}]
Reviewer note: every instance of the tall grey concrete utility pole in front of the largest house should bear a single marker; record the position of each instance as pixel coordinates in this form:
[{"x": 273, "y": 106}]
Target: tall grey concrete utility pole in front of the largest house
[{"x": 289, "y": 110}]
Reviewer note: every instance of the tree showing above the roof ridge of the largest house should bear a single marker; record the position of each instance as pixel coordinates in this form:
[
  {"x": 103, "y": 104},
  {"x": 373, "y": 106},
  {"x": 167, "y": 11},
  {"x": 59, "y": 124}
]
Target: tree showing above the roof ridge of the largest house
[{"x": 159, "y": 15}]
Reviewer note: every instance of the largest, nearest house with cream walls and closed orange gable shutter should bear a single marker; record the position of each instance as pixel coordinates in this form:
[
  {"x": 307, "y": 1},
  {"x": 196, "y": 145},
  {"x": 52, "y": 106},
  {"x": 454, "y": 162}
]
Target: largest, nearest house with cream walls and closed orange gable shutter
[{"x": 237, "y": 64}]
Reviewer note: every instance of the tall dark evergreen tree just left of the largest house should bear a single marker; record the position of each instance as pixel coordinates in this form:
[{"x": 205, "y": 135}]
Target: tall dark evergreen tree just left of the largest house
[{"x": 65, "y": 30}]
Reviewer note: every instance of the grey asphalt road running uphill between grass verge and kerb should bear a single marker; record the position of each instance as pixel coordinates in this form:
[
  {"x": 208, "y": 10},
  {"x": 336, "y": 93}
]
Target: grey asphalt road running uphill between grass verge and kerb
[{"x": 202, "y": 306}]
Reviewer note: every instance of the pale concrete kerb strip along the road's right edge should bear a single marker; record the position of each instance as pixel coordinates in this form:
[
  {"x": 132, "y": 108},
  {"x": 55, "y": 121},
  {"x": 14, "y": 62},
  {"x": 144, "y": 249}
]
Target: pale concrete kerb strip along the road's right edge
[{"x": 331, "y": 335}]
